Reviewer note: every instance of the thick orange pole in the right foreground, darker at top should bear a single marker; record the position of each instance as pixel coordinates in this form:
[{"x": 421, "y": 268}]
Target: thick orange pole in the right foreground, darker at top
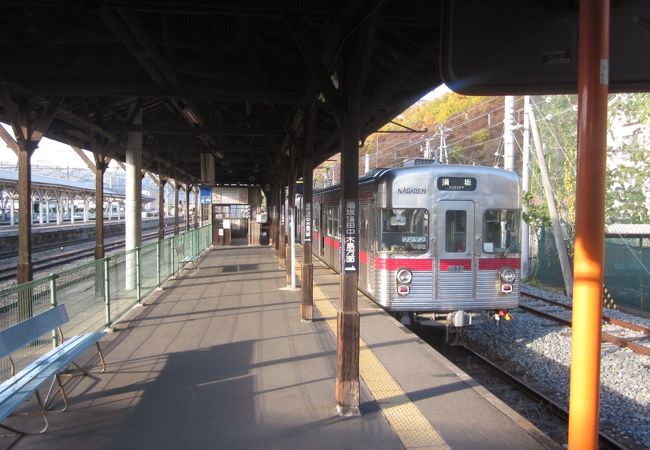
[{"x": 593, "y": 63}]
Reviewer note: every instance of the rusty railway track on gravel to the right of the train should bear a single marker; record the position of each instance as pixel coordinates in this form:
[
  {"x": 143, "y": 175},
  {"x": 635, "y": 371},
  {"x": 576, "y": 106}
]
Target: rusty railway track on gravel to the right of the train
[{"x": 616, "y": 331}]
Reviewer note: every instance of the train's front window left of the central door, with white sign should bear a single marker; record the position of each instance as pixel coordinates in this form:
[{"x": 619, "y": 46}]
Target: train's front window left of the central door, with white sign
[{"x": 404, "y": 230}]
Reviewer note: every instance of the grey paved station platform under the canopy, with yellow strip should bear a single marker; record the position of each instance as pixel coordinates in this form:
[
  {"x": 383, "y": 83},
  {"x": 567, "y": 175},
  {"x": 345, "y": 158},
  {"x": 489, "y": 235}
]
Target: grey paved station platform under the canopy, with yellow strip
[{"x": 219, "y": 359}]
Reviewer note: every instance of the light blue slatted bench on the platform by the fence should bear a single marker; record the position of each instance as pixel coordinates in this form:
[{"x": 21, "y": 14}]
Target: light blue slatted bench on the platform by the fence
[{"x": 21, "y": 385}]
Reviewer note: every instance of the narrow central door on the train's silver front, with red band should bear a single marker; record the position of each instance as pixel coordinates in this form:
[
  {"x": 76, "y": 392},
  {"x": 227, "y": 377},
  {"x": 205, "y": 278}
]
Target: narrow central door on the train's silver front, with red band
[{"x": 455, "y": 250}]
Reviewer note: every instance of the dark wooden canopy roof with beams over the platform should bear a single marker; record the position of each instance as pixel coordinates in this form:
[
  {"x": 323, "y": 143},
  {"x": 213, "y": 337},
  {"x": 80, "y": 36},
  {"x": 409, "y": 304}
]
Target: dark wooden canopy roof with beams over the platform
[{"x": 233, "y": 79}]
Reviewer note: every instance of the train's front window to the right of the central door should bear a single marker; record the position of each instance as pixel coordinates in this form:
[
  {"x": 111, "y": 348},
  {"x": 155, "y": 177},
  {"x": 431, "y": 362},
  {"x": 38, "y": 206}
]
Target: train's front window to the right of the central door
[{"x": 501, "y": 231}]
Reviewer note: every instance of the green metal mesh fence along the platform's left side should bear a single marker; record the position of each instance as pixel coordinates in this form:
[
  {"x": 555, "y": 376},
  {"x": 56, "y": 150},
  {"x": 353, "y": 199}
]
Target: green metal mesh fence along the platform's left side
[{"x": 95, "y": 294}]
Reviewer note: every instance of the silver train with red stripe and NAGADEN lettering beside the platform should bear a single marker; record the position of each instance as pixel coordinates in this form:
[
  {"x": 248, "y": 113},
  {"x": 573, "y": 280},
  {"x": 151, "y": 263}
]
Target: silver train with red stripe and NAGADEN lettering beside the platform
[{"x": 437, "y": 242}]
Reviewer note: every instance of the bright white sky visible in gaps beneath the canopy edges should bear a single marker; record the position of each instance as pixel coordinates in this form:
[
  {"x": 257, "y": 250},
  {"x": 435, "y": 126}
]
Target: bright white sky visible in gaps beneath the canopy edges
[{"x": 56, "y": 154}]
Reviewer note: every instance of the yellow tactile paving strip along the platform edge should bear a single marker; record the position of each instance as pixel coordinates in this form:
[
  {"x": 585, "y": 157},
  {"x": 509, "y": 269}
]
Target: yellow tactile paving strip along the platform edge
[{"x": 412, "y": 428}]
